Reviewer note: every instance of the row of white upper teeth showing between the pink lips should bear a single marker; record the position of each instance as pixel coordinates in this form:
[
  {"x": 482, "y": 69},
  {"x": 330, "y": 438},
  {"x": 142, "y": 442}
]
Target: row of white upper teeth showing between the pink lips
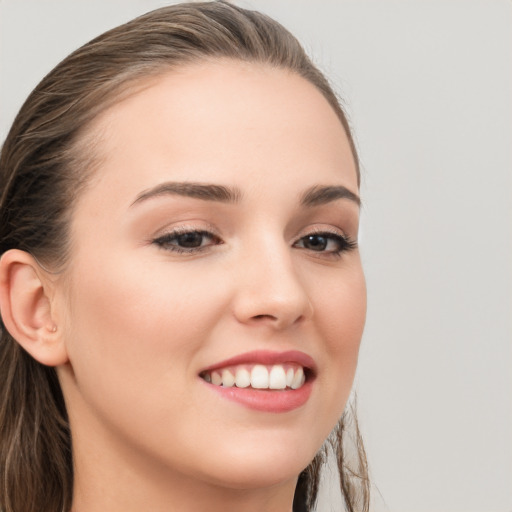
[{"x": 258, "y": 376}]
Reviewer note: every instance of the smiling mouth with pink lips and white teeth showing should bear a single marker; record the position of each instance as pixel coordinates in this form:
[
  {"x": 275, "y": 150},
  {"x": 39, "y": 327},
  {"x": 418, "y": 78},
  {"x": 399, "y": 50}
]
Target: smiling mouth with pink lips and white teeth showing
[{"x": 263, "y": 380}]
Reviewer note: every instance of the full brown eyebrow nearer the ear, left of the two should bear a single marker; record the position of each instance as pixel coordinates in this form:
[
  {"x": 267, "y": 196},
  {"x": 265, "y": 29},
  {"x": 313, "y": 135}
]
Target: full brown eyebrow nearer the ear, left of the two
[{"x": 204, "y": 191}]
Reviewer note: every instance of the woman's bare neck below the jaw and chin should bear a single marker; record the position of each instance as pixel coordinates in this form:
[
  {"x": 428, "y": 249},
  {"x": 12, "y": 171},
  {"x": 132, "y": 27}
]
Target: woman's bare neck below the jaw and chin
[{"x": 107, "y": 477}]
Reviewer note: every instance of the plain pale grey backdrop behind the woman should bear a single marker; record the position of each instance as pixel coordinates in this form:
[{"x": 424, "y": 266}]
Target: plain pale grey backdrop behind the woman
[{"x": 428, "y": 88}]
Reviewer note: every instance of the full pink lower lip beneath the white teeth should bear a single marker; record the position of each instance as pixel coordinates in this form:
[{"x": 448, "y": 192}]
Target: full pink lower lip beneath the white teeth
[{"x": 264, "y": 399}]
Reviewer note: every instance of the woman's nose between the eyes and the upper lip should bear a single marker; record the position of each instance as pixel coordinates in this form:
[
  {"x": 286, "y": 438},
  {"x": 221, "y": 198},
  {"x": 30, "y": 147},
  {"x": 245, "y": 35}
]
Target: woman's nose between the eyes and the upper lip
[{"x": 269, "y": 290}]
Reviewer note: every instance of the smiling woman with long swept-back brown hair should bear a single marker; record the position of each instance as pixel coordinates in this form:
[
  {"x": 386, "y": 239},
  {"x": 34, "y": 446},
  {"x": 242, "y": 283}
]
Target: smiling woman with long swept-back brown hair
[{"x": 181, "y": 291}]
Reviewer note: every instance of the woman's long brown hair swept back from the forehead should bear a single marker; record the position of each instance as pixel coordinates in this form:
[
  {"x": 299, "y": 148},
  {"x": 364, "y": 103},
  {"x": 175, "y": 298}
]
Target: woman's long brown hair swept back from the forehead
[{"x": 47, "y": 159}]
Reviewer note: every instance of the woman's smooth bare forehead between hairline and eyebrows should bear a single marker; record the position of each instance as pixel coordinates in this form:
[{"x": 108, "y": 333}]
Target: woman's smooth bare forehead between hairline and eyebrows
[{"x": 223, "y": 120}]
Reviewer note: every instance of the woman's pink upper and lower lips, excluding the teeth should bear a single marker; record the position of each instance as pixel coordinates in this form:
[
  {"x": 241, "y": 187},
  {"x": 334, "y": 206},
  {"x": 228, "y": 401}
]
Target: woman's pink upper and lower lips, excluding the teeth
[{"x": 272, "y": 401}]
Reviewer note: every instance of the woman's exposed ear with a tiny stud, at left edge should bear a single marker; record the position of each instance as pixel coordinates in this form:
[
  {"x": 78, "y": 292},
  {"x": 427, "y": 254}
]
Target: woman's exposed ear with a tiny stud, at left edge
[{"x": 25, "y": 304}]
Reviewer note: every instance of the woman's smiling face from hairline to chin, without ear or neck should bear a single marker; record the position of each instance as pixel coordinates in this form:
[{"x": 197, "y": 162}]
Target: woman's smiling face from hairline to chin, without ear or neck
[{"x": 216, "y": 243}]
